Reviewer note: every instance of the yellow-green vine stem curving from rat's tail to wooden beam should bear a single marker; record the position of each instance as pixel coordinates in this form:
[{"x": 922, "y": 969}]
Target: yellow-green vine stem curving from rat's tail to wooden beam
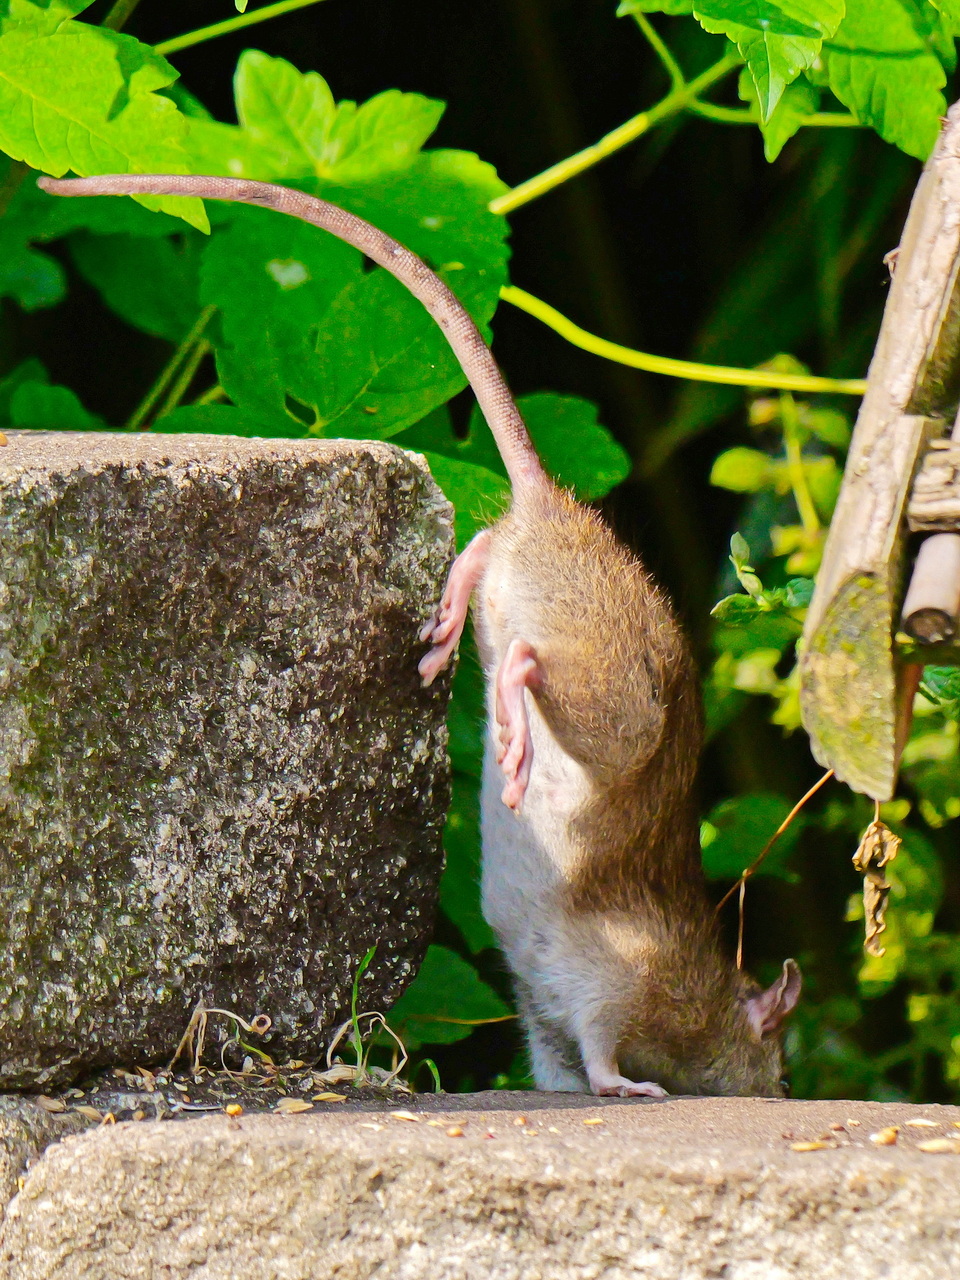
[{"x": 688, "y": 369}]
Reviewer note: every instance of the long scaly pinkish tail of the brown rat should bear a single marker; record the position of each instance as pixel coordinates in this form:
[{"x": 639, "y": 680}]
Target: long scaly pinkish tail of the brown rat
[{"x": 469, "y": 348}]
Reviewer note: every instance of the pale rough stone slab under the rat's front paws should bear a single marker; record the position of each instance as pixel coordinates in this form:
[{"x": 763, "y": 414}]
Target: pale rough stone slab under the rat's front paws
[{"x": 682, "y": 1188}]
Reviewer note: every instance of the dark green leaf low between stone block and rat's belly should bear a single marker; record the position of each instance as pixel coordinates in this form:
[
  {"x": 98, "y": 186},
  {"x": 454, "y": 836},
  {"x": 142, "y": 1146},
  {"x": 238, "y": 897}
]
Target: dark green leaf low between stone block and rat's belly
[{"x": 445, "y": 998}]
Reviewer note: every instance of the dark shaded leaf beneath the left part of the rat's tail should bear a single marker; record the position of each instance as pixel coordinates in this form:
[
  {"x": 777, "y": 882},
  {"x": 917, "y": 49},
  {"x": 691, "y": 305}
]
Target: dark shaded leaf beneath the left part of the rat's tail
[{"x": 152, "y": 284}]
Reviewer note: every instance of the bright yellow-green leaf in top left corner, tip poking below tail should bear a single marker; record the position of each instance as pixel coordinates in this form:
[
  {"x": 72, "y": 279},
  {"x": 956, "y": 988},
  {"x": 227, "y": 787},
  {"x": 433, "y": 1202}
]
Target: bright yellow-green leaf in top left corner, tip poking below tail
[{"x": 85, "y": 99}]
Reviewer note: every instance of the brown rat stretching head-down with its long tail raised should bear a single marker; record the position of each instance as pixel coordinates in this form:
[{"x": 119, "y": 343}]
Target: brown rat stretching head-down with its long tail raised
[{"x": 592, "y": 857}]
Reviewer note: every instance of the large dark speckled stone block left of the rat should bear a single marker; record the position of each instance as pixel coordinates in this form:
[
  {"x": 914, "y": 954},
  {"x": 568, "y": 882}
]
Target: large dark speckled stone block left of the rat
[{"x": 220, "y": 778}]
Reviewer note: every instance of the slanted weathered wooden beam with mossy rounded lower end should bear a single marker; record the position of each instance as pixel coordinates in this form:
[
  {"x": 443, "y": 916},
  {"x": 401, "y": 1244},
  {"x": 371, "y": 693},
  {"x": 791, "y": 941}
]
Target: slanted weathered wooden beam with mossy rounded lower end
[{"x": 854, "y": 696}]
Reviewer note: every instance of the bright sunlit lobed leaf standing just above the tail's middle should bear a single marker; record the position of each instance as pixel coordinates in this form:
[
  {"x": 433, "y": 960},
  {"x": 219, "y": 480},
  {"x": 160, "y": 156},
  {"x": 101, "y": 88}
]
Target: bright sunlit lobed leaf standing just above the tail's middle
[{"x": 292, "y": 118}]
